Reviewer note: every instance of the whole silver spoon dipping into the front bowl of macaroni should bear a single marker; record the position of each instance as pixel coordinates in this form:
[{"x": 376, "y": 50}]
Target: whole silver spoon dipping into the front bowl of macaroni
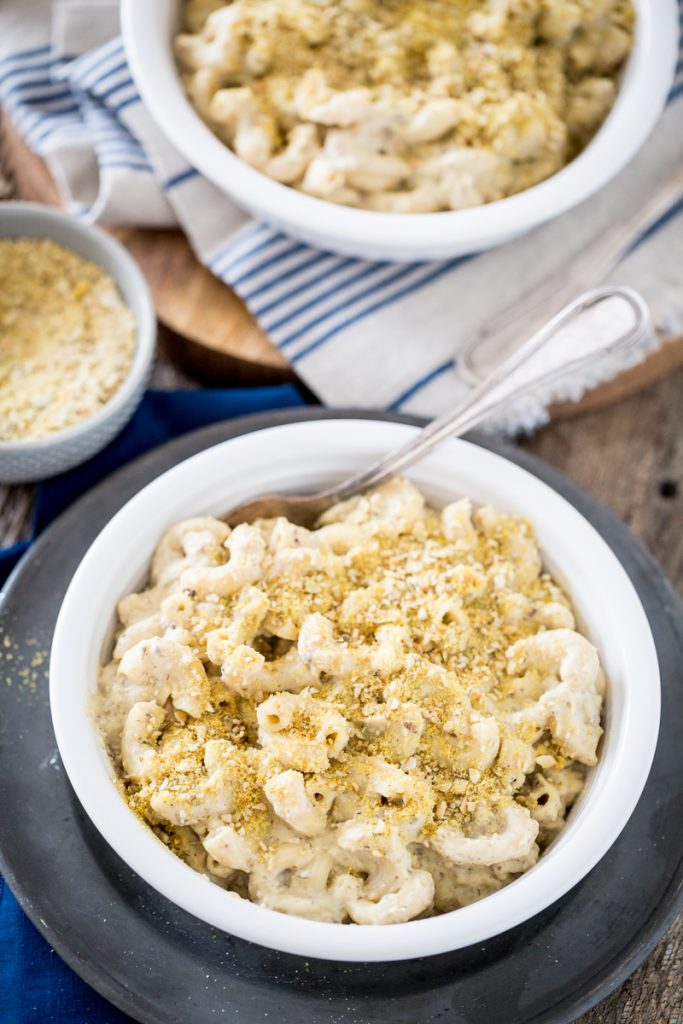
[{"x": 505, "y": 386}]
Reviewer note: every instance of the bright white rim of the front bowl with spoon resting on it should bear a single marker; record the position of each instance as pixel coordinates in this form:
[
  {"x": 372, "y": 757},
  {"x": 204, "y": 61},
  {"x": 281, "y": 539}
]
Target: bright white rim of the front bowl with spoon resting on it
[{"x": 87, "y": 763}]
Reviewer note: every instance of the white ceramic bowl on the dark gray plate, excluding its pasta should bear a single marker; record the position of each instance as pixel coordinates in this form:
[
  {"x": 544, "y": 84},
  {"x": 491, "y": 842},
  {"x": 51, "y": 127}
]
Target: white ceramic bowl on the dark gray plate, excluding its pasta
[{"x": 303, "y": 456}]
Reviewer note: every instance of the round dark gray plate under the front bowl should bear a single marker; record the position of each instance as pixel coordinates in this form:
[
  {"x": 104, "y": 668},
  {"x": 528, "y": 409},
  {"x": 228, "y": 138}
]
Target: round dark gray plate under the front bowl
[{"x": 160, "y": 965}]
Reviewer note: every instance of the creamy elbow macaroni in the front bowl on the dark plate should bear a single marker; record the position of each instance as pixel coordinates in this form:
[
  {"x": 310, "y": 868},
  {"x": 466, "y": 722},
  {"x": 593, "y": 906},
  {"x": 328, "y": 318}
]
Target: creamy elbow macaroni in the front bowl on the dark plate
[{"x": 383, "y": 718}]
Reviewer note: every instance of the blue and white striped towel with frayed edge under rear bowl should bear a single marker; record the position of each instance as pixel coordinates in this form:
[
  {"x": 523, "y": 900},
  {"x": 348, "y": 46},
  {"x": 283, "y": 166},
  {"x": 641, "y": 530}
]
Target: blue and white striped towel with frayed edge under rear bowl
[{"x": 375, "y": 335}]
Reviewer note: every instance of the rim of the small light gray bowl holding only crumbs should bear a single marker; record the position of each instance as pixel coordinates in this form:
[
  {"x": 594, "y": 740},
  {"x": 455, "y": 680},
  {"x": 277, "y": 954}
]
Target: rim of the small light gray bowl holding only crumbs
[{"x": 146, "y": 318}]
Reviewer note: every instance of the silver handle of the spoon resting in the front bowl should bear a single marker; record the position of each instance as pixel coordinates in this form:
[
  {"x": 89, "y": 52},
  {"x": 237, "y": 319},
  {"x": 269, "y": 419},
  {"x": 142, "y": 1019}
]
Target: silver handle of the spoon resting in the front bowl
[{"x": 508, "y": 383}]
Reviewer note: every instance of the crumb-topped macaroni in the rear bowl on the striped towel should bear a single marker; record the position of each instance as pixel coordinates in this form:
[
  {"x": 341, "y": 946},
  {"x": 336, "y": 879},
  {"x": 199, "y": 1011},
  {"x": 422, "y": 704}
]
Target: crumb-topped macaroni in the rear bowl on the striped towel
[{"x": 407, "y": 106}]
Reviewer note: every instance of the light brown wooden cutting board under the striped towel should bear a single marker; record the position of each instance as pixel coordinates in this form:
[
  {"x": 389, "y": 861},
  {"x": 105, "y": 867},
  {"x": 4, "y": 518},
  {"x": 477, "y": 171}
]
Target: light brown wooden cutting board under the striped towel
[{"x": 209, "y": 333}]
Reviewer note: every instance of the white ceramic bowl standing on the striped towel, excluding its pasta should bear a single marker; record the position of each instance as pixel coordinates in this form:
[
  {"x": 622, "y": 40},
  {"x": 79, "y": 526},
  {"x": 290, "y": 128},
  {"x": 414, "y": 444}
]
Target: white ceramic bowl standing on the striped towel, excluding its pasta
[{"x": 149, "y": 28}]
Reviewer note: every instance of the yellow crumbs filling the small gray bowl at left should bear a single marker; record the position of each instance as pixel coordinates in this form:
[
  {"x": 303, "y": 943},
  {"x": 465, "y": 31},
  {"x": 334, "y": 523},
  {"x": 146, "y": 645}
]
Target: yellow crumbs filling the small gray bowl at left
[{"x": 67, "y": 338}]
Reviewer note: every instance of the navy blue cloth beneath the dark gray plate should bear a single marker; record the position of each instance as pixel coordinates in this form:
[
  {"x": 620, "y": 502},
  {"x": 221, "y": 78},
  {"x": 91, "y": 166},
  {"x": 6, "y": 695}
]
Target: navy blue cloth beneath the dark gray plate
[{"x": 36, "y": 987}]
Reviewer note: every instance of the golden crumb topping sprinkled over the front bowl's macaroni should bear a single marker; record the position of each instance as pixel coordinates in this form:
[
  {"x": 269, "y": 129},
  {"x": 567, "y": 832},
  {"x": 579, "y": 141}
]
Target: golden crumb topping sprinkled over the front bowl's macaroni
[{"x": 450, "y": 596}]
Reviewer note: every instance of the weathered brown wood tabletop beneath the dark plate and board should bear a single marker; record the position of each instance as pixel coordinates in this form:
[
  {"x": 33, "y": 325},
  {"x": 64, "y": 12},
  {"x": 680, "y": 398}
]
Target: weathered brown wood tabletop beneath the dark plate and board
[{"x": 630, "y": 456}]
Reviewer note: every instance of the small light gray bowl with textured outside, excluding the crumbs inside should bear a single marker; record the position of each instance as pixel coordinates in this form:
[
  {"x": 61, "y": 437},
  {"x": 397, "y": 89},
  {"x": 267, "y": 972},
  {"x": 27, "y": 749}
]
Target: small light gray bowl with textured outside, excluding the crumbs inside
[{"x": 35, "y": 460}]
